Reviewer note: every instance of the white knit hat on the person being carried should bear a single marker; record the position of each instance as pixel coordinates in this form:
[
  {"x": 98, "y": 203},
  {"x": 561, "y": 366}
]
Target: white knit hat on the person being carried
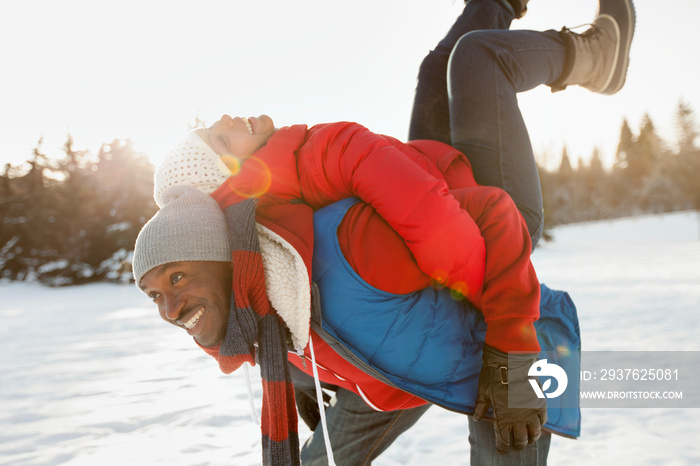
[{"x": 193, "y": 163}]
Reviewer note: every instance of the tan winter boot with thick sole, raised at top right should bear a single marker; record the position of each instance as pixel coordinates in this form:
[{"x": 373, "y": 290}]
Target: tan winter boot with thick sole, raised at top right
[{"x": 598, "y": 58}]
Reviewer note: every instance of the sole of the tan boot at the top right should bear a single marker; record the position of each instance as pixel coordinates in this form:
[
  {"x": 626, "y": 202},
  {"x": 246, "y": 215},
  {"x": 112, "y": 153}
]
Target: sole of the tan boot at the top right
[{"x": 622, "y": 11}]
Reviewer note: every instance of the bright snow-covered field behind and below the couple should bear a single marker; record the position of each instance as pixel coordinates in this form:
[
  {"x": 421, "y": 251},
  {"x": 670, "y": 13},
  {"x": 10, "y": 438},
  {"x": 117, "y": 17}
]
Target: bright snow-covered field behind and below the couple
[{"x": 90, "y": 375}]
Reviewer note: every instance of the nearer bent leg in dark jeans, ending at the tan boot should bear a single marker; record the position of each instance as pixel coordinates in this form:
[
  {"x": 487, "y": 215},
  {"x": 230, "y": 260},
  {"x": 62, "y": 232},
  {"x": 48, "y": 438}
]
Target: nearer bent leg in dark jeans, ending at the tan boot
[{"x": 486, "y": 70}]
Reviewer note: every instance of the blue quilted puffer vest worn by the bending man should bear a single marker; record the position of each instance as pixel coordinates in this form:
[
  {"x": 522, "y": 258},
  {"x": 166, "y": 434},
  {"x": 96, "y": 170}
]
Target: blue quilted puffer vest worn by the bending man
[{"x": 426, "y": 342}]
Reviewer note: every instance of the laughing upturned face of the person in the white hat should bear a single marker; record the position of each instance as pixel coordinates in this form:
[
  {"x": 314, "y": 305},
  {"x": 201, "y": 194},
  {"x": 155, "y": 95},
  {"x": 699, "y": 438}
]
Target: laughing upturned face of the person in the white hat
[{"x": 239, "y": 137}]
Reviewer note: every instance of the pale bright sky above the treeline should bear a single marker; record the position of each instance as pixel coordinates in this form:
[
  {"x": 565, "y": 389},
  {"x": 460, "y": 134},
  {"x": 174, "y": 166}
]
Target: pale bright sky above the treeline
[{"x": 146, "y": 70}]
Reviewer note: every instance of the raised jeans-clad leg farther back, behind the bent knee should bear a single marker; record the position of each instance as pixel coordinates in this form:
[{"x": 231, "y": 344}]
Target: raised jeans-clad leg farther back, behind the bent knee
[{"x": 430, "y": 117}]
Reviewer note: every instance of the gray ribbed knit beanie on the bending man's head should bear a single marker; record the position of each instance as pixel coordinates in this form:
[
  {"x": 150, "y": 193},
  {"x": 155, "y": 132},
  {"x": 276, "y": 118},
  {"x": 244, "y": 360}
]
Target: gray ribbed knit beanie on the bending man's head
[{"x": 189, "y": 227}]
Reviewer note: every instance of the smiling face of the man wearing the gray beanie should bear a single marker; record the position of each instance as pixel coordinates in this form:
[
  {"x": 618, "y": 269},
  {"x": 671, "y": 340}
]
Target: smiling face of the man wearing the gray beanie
[{"x": 194, "y": 296}]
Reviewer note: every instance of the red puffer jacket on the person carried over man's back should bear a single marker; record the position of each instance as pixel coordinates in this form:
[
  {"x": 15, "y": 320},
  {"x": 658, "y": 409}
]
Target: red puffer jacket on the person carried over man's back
[{"x": 468, "y": 237}]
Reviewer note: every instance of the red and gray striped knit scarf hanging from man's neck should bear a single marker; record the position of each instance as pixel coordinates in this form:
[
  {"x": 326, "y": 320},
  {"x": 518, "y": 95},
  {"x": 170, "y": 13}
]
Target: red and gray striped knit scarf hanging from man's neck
[{"x": 253, "y": 319}]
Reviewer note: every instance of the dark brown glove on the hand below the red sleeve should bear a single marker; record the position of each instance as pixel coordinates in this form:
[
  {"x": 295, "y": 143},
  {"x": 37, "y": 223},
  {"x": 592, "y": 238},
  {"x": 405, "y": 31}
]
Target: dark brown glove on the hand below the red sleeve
[{"x": 515, "y": 427}]
